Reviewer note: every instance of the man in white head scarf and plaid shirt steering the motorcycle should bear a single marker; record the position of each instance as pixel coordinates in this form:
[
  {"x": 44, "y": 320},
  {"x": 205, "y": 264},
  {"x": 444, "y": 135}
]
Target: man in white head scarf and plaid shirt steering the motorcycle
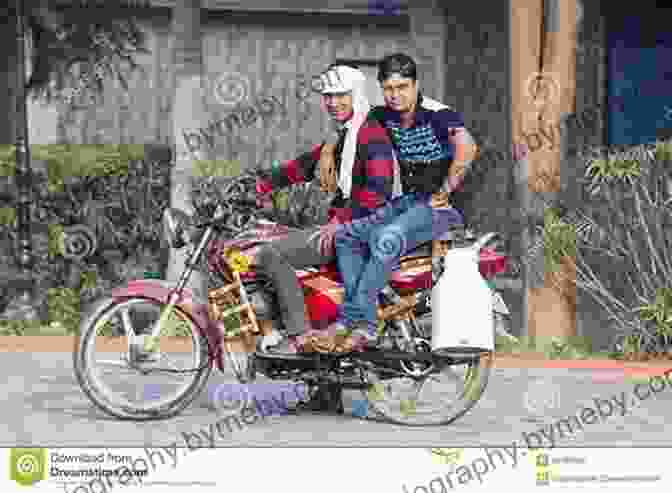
[{"x": 356, "y": 164}]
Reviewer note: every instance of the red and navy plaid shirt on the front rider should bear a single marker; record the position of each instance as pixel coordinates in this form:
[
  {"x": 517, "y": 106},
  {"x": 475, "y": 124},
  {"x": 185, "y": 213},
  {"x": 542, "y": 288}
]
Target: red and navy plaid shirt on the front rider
[{"x": 372, "y": 173}]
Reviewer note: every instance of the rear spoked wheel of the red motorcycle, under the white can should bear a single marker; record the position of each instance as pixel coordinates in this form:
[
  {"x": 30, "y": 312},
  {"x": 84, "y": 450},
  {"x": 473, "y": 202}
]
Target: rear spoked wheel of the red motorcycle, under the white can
[{"x": 425, "y": 394}]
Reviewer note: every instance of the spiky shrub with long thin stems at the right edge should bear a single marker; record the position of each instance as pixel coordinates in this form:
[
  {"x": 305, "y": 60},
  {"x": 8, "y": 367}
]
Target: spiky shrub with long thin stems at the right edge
[{"x": 624, "y": 261}]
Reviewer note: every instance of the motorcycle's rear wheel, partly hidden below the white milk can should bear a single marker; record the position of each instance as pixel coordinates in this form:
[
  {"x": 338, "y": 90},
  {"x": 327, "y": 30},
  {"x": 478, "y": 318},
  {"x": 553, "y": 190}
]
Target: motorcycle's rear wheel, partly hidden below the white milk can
[{"x": 405, "y": 407}]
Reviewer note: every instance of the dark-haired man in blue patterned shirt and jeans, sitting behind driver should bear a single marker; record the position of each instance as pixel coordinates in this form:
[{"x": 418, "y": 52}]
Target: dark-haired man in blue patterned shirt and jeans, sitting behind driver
[{"x": 433, "y": 150}]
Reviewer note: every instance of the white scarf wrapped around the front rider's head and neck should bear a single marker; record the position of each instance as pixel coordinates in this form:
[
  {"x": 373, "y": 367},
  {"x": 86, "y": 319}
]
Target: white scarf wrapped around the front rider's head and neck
[{"x": 343, "y": 79}]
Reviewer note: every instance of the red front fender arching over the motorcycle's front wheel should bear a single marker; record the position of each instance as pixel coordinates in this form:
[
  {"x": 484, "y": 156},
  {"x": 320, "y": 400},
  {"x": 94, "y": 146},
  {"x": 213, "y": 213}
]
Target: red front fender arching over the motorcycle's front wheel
[{"x": 194, "y": 305}]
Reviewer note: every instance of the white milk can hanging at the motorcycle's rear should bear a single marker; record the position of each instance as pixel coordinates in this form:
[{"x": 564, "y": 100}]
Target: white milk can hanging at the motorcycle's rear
[{"x": 462, "y": 304}]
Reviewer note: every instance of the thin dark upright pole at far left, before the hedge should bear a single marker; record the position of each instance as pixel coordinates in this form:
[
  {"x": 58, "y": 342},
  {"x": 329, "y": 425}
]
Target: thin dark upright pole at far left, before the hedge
[{"x": 24, "y": 256}]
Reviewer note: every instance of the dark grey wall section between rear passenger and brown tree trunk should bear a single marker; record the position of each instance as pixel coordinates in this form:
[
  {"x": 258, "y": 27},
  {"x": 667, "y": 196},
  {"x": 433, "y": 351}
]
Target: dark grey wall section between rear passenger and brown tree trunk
[{"x": 477, "y": 83}]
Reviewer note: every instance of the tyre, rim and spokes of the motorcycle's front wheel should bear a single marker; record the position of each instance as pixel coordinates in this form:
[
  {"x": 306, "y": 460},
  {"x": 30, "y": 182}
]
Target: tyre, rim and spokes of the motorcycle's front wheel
[{"x": 117, "y": 405}]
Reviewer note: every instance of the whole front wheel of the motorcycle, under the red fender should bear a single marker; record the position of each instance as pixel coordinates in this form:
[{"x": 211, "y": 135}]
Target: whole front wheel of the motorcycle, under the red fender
[{"x": 140, "y": 382}]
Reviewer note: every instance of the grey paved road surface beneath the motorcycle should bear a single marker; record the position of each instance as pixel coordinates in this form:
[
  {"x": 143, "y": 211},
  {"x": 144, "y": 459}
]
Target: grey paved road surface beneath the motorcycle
[{"x": 44, "y": 406}]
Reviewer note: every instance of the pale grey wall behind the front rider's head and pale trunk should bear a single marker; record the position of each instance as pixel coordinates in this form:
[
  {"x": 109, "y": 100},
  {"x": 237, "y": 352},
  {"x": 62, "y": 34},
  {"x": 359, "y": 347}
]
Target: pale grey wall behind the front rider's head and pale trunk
[{"x": 249, "y": 52}]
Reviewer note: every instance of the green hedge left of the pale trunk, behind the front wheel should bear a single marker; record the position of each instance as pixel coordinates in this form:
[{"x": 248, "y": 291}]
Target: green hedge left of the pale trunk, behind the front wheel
[{"x": 118, "y": 192}]
